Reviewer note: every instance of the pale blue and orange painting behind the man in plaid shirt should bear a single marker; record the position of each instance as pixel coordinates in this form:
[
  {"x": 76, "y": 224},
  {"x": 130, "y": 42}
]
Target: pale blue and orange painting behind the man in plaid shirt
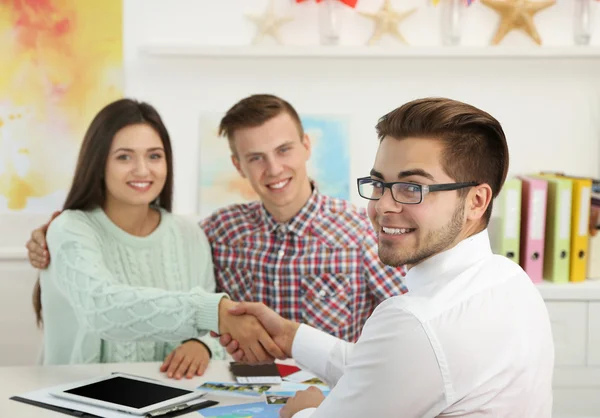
[{"x": 328, "y": 166}]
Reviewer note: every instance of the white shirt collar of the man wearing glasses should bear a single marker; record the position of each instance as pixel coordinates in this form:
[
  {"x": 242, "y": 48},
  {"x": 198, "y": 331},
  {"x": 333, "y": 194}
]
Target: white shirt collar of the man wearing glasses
[{"x": 450, "y": 263}]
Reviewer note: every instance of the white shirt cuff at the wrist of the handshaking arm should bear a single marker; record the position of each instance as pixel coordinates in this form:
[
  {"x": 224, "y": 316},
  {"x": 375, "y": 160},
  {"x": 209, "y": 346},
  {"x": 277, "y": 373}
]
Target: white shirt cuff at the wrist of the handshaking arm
[{"x": 311, "y": 349}]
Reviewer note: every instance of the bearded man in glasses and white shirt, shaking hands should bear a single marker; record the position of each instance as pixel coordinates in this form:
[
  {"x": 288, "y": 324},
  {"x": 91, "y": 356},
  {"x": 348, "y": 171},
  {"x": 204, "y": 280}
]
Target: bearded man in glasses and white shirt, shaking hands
[{"x": 472, "y": 336}]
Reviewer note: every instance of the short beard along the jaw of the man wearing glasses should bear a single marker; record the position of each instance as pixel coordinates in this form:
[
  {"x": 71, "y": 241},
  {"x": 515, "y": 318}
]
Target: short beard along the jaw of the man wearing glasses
[{"x": 438, "y": 241}]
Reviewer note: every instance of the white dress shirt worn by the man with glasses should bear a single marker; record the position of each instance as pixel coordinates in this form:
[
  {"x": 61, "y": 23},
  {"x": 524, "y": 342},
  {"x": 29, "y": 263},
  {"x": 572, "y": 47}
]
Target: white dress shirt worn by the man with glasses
[{"x": 471, "y": 338}]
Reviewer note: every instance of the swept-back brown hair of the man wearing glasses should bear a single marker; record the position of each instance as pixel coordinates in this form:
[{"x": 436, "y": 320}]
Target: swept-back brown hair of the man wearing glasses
[{"x": 475, "y": 146}]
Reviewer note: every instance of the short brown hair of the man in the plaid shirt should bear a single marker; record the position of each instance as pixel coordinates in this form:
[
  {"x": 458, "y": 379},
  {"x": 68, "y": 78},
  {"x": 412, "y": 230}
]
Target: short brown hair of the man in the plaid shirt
[{"x": 255, "y": 110}]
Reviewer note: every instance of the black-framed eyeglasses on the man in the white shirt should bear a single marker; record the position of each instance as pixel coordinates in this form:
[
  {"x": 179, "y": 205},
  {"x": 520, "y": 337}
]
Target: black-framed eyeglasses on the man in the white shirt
[{"x": 402, "y": 192}]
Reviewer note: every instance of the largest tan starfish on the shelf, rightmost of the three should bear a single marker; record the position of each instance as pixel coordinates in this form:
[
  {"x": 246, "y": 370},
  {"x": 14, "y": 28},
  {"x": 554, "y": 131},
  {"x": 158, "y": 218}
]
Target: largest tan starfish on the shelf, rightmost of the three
[{"x": 517, "y": 14}]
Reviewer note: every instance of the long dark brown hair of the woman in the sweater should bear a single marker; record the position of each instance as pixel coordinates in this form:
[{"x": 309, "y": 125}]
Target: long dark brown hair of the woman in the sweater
[{"x": 88, "y": 189}]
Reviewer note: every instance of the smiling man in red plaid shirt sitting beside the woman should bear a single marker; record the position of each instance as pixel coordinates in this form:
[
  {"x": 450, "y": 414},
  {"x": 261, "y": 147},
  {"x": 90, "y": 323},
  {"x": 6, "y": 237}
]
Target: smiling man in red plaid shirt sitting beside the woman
[{"x": 310, "y": 257}]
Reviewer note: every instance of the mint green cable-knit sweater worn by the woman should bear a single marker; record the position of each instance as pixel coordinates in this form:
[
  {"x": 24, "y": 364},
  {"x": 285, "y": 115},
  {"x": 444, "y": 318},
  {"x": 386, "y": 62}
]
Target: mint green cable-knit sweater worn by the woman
[{"x": 109, "y": 296}]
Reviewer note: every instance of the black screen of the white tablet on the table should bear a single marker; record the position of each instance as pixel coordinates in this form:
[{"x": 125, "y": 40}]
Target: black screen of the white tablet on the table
[{"x": 128, "y": 392}]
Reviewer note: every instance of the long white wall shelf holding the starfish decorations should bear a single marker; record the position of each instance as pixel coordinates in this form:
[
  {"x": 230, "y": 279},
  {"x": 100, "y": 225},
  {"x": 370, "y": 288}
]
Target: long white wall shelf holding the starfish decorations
[{"x": 333, "y": 52}]
